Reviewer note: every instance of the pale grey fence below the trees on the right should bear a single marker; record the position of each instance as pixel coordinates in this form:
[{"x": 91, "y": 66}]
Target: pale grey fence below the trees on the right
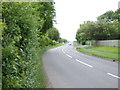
[{"x": 107, "y": 43}]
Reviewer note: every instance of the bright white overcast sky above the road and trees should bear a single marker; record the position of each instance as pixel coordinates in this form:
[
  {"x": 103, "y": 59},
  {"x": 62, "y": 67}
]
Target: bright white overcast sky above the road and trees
[{"x": 71, "y": 13}]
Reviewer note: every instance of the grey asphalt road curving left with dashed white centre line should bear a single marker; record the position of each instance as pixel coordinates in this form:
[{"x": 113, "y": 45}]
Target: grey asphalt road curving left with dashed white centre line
[{"x": 67, "y": 68}]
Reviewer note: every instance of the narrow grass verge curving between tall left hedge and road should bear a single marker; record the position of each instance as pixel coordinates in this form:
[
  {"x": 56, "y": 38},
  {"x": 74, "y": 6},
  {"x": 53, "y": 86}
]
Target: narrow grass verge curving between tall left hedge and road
[{"x": 38, "y": 72}]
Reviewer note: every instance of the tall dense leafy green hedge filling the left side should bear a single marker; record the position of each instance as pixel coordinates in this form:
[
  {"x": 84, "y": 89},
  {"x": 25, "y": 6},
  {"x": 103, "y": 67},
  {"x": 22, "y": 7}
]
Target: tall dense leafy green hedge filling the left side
[{"x": 23, "y": 36}]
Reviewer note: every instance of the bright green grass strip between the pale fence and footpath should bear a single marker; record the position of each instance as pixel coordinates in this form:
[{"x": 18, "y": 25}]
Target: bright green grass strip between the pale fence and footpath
[{"x": 109, "y": 49}]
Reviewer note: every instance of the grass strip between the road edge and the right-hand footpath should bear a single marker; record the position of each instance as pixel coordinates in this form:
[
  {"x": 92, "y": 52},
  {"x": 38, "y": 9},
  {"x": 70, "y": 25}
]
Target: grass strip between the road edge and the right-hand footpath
[{"x": 99, "y": 54}]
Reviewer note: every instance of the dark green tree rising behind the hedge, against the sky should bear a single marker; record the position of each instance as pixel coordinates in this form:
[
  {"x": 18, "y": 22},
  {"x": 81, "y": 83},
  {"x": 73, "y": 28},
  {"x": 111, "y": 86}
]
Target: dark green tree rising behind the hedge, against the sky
[{"x": 48, "y": 14}]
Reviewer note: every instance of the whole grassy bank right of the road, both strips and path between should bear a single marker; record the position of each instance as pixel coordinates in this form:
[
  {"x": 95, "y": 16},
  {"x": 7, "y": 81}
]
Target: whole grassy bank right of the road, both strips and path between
[{"x": 100, "y": 51}]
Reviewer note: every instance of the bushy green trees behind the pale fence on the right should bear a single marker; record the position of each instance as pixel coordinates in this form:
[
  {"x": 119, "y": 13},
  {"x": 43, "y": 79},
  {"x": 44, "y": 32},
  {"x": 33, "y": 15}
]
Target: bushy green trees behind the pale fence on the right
[{"x": 105, "y": 28}]
